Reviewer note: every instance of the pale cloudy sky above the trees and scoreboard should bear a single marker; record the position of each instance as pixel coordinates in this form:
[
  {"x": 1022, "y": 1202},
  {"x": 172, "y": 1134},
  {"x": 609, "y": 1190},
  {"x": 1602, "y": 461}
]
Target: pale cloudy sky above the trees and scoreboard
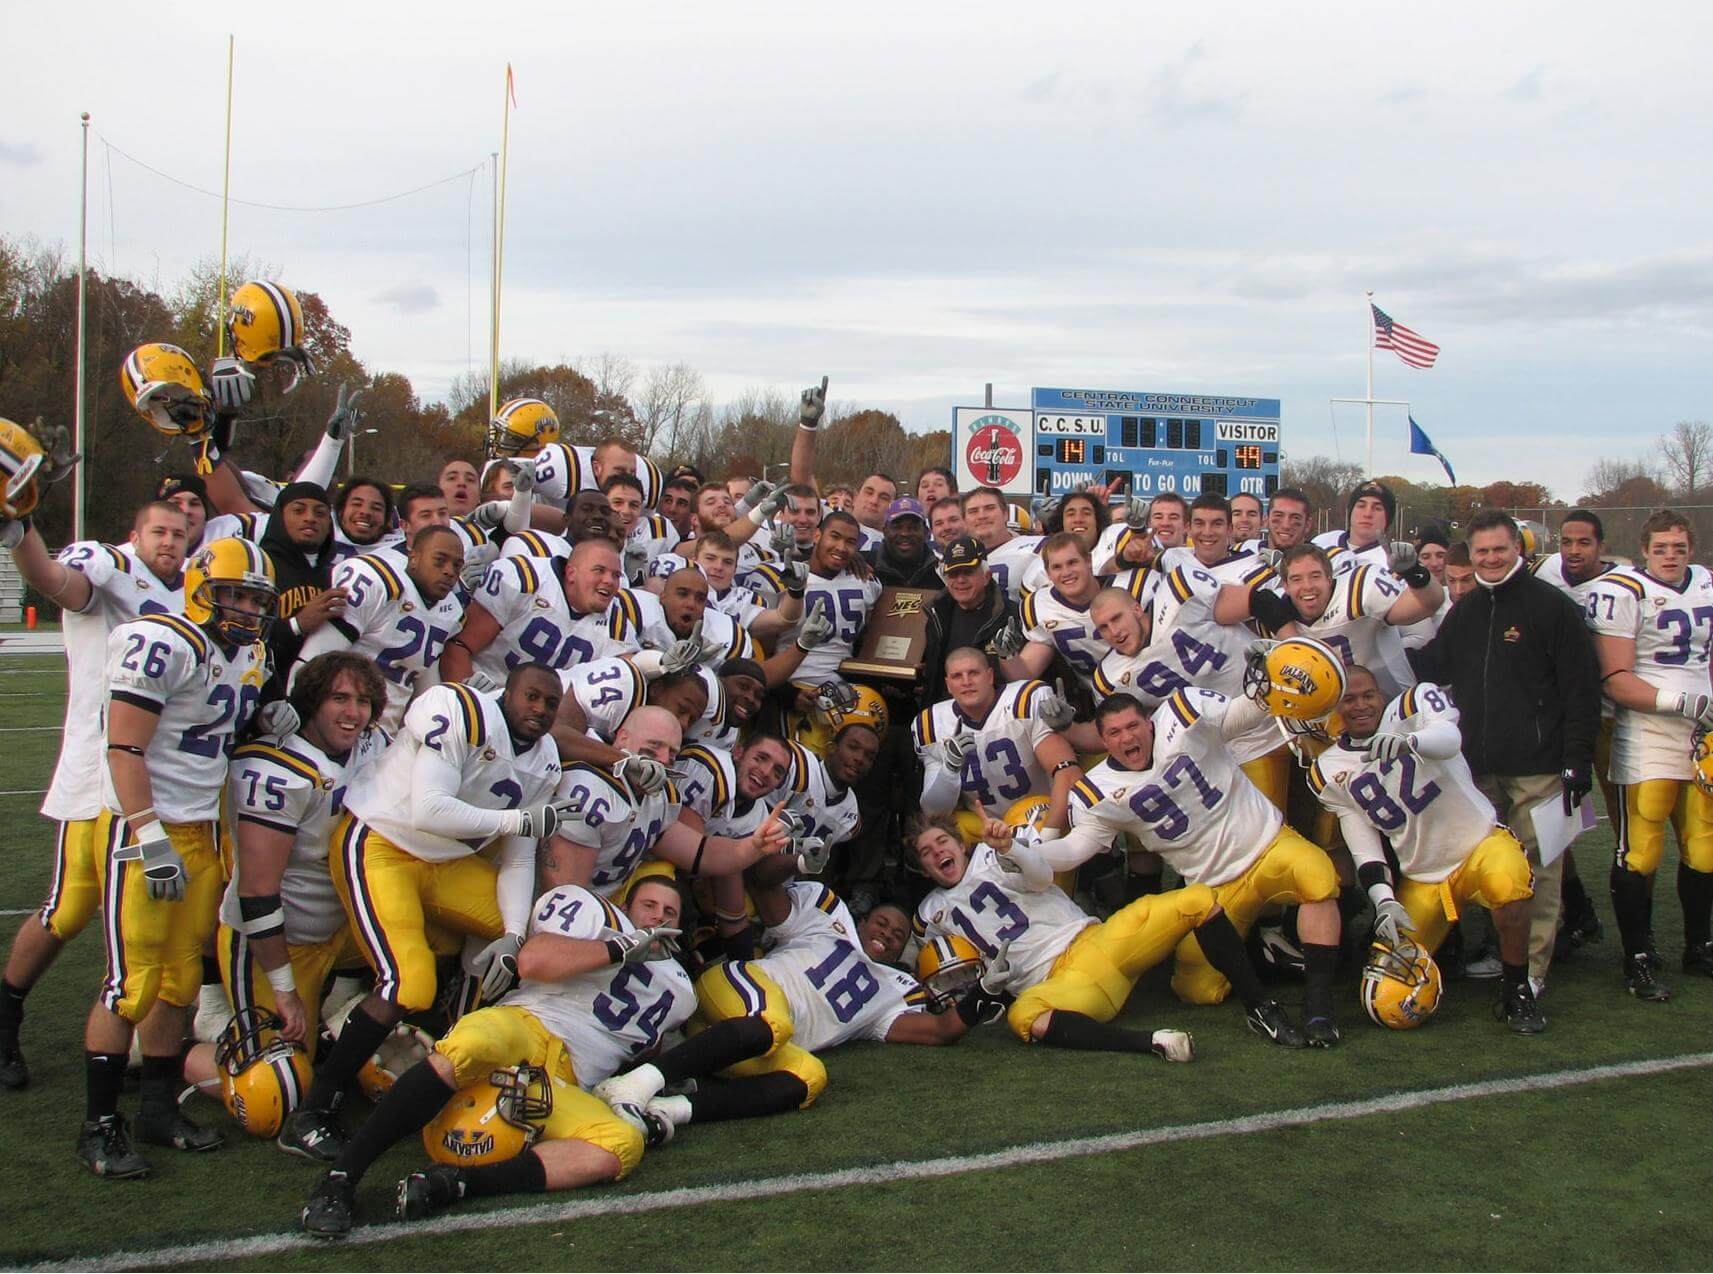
[{"x": 917, "y": 199}]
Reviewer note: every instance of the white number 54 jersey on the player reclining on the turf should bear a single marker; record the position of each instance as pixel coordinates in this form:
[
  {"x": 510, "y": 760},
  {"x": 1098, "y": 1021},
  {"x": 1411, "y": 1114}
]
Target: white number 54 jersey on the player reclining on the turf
[{"x": 611, "y": 1015}]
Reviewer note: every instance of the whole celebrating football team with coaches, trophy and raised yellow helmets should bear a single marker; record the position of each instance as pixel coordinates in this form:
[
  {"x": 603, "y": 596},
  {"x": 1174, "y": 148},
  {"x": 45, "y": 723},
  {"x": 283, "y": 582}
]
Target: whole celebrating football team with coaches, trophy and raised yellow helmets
[{"x": 554, "y": 804}]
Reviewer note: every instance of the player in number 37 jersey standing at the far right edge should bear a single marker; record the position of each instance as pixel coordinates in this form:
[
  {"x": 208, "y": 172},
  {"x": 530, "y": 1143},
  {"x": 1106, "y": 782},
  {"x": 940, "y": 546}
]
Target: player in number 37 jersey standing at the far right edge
[{"x": 1654, "y": 626}]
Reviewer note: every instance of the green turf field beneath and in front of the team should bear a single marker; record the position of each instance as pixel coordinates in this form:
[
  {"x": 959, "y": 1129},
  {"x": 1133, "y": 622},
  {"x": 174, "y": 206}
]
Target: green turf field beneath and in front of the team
[{"x": 1584, "y": 1176}]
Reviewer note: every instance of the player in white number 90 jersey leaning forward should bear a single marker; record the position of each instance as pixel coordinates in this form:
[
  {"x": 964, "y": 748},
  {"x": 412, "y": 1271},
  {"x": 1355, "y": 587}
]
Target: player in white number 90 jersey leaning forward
[{"x": 523, "y": 616}]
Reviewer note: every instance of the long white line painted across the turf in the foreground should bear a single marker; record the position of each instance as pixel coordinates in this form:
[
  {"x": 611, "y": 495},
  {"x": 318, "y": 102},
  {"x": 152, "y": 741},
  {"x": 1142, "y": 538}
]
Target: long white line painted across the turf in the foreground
[{"x": 585, "y": 1208}]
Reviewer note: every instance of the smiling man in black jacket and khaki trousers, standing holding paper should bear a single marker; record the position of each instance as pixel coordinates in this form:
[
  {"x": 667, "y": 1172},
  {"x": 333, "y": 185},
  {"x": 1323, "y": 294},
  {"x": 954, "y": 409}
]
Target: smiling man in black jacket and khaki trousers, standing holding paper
[{"x": 1517, "y": 657}]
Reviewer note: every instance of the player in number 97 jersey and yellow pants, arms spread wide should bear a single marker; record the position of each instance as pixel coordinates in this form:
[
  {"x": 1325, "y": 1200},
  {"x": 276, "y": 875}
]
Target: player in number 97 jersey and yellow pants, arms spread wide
[{"x": 1171, "y": 782}]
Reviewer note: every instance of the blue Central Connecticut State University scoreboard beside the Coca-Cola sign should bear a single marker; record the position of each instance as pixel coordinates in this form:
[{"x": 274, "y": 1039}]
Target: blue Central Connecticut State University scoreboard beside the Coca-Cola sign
[{"x": 1159, "y": 443}]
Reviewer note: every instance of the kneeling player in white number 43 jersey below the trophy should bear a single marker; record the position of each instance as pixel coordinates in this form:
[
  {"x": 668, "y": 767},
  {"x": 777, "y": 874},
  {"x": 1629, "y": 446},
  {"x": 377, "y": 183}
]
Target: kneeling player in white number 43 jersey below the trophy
[{"x": 991, "y": 746}]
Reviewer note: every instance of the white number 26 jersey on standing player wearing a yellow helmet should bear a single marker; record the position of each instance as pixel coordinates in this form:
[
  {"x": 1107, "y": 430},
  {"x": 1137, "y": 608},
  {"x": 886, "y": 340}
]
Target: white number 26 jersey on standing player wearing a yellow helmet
[{"x": 203, "y": 698}]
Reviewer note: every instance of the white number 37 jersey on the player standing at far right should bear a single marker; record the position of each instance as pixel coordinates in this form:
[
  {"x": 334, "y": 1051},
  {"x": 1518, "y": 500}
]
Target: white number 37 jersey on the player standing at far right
[{"x": 1673, "y": 629}]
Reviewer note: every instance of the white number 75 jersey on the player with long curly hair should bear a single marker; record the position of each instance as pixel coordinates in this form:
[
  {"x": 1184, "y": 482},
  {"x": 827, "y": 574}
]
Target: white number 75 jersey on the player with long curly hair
[{"x": 299, "y": 790}]
